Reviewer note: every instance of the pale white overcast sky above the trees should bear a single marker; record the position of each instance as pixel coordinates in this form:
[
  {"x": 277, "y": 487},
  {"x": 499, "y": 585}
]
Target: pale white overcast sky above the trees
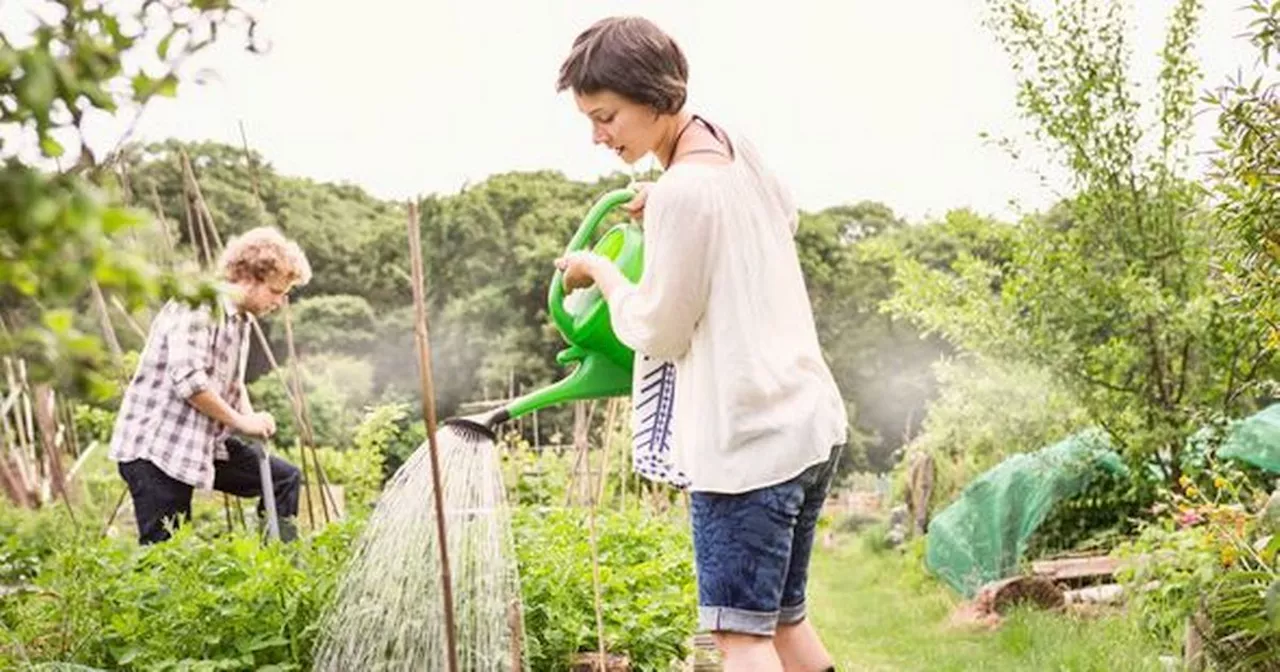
[{"x": 848, "y": 100}]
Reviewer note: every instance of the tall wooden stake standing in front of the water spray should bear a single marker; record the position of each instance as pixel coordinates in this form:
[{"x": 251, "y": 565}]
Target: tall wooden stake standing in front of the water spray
[{"x": 424, "y": 360}]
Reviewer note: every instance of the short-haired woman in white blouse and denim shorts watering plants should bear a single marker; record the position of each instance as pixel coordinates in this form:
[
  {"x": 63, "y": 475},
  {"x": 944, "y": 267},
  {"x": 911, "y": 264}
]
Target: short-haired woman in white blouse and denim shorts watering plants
[{"x": 760, "y": 420}]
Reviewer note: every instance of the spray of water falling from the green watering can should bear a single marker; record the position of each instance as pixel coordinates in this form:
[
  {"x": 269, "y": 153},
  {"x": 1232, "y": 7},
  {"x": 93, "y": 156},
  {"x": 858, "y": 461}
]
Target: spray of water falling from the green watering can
[{"x": 387, "y": 615}]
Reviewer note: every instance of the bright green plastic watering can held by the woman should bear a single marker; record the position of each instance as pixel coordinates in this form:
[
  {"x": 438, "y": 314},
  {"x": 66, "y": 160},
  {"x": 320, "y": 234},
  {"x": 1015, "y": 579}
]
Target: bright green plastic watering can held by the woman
[{"x": 604, "y": 364}]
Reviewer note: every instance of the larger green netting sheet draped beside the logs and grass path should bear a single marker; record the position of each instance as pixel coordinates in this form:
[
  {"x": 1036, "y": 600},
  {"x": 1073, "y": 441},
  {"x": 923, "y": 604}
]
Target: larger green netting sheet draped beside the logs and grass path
[{"x": 984, "y": 534}]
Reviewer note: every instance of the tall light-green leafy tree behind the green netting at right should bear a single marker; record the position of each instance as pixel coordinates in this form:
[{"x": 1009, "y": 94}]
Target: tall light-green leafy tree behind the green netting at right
[{"x": 1114, "y": 291}]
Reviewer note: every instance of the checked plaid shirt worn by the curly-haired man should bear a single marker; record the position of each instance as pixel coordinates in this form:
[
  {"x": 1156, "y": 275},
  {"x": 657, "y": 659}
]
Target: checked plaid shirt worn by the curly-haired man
[{"x": 189, "y": 350}]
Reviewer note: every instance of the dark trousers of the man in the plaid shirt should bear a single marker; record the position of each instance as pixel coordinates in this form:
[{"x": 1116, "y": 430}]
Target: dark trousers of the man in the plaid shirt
[{"x": 162, "y": 502}]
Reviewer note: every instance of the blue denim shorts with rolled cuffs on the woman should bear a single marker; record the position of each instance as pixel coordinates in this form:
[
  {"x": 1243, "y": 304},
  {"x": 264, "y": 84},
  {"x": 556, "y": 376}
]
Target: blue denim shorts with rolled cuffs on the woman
[{"x": 752, "y": 551}]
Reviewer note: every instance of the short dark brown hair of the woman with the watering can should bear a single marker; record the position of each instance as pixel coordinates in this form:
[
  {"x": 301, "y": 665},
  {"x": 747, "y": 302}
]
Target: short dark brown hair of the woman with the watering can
[{"x": 630, "y": 57}]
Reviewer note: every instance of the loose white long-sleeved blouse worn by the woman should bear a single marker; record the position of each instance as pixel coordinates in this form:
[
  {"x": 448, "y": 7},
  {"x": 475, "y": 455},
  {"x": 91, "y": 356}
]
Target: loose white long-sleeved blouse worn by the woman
[{"x": 724, "y": 299}]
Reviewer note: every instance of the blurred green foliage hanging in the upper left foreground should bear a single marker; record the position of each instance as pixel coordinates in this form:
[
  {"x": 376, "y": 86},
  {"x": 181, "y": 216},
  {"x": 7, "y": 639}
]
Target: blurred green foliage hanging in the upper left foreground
[{"x": 60, "y": 234}]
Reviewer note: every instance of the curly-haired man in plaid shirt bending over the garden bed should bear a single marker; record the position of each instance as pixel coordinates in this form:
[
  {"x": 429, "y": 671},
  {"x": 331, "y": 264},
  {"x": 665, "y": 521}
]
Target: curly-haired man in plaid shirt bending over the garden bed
[{"x": 186, "y": 408}]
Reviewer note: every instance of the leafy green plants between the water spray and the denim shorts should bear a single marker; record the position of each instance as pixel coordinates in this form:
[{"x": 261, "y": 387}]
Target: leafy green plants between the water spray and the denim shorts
[{"x": 647, "y": 578}]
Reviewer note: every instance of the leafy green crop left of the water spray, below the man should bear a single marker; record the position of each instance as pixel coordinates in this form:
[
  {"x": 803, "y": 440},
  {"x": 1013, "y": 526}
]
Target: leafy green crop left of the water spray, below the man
[{"x": 228, "y": 604}]
